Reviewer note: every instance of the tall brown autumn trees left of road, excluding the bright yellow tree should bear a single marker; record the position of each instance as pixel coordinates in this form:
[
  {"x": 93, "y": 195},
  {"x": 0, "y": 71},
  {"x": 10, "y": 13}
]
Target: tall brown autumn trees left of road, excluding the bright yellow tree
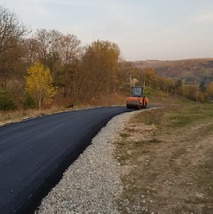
[{"x": 79, "y": 72}]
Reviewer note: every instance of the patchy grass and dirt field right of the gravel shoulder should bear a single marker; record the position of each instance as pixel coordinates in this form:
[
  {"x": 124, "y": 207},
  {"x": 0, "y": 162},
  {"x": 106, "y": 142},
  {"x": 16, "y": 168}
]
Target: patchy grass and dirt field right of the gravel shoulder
[{"x": 167, "y": 156}]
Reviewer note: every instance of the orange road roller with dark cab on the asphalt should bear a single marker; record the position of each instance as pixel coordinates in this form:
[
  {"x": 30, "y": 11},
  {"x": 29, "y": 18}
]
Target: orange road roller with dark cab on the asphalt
[{"x": 137, "y": 99}]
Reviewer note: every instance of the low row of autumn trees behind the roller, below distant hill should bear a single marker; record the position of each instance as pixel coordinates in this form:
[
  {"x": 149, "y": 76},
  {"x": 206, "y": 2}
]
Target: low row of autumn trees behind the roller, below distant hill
[{"x": 148, "y": 77}]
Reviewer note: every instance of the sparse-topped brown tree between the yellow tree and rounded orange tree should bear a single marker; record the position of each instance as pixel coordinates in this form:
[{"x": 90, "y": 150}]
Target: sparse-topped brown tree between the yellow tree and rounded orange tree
[{"x": 60, "y": 53}]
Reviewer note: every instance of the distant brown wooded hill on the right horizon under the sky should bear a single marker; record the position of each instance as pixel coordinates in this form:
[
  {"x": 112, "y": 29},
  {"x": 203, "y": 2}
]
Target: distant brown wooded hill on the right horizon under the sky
[{"x": 191, "y": 71}]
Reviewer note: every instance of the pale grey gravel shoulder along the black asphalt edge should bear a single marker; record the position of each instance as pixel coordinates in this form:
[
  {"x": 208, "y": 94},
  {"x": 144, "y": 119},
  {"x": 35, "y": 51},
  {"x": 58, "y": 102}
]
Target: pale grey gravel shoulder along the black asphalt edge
[{"x": 92, "y": 183}]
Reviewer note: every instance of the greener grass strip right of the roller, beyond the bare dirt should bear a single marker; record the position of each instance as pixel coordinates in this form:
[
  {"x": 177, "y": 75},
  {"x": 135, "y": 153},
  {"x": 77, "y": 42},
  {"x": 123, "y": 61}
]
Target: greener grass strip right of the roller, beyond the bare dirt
[{"x": 177, "y": 116}]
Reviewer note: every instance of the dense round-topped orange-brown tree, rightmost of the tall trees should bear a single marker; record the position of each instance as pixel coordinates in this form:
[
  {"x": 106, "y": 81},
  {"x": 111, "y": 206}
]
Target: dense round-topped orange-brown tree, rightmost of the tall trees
[{"x": 99, "y": 66}]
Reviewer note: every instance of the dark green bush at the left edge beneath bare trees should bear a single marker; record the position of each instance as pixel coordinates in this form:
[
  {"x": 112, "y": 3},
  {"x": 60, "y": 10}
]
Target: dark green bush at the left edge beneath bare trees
[{"x": 6, "y": 103}]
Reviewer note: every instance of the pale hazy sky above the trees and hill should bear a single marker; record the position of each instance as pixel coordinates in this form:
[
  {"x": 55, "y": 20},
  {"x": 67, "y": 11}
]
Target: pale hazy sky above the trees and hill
[{"x": 143, "y": 29}]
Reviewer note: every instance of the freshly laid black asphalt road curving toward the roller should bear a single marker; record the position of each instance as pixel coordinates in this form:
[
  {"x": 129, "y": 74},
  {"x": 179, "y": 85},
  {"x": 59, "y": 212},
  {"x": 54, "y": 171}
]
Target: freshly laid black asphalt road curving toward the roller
[{"x": 35, "y": 153}]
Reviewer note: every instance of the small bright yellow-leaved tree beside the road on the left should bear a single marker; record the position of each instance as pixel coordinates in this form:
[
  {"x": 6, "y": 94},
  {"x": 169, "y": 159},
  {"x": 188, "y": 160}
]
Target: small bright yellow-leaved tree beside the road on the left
[{"x": 39, "y": 84}]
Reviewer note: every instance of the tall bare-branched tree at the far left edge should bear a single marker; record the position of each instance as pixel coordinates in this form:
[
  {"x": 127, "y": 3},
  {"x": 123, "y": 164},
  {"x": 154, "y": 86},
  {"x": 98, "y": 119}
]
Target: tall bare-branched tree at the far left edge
[{"x": 11, "y": 52}]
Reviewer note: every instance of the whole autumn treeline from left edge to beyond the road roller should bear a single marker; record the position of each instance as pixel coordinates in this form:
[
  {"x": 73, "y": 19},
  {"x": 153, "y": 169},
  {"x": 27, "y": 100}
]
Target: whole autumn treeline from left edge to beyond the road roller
[{"x": 49, "y": 66}]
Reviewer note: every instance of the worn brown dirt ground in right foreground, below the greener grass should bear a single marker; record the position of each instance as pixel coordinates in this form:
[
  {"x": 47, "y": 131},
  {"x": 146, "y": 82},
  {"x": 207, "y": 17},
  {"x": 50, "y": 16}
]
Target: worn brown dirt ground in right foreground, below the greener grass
[{"x": 167, "y": 172}]
